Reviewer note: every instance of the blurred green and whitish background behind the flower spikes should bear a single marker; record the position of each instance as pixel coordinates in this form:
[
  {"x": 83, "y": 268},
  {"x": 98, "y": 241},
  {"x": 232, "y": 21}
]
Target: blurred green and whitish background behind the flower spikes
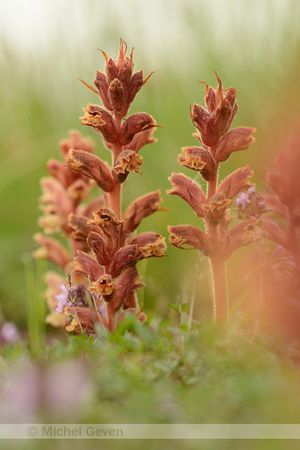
[{"x": 253, "y": 45}]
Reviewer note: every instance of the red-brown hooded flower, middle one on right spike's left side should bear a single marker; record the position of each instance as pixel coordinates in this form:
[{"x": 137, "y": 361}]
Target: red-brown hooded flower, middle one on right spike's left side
[{"x": 189, "y": 191}]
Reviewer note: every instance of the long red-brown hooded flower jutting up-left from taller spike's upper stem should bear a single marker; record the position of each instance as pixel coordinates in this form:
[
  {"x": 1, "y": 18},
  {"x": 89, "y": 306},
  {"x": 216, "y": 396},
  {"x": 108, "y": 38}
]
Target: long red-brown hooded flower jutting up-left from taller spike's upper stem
[{"x": 92, "y": 167}]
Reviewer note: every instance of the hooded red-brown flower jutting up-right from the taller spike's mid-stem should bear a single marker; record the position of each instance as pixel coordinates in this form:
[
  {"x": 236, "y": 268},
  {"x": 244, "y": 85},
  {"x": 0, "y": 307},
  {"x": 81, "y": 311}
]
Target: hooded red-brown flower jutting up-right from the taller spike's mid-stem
[{"x": 142, "y": 207}]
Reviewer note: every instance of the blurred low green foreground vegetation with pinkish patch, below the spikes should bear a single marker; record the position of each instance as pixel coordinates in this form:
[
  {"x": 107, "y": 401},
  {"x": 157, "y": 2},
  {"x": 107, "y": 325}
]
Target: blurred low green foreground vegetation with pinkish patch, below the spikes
[{"x": 155, "y": 373}]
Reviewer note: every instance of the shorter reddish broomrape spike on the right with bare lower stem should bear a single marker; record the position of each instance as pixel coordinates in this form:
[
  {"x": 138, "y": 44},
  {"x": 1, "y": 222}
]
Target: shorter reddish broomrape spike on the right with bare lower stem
[{"x": 217, "y": 143}]
